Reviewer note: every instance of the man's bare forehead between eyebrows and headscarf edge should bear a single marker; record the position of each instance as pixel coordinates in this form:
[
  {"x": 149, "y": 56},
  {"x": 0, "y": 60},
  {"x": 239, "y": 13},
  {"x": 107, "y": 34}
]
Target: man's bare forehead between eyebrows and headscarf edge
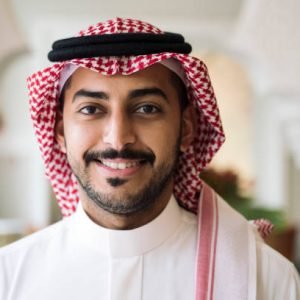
[{"x": 156, "y": 75}]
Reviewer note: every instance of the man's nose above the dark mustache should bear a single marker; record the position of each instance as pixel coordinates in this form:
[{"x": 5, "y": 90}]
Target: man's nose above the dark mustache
[{"x": 119, "y": 131}]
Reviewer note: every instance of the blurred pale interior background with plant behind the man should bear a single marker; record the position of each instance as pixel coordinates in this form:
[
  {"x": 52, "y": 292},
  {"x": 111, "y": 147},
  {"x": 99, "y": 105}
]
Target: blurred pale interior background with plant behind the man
[{"x": 252, "y": 50}]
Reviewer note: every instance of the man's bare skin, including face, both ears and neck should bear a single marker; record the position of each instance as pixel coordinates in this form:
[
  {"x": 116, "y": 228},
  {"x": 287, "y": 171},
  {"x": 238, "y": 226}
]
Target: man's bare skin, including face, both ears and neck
[{"x": 136, "y": 116}]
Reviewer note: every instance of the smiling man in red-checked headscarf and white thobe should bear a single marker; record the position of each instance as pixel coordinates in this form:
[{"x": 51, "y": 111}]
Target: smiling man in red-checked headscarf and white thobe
[{"x": 126, "y": 120}]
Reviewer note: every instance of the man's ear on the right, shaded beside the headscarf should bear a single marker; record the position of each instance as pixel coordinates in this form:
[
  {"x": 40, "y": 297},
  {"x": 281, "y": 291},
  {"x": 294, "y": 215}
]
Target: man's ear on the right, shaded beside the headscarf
[{"x": 188, "y": 128}]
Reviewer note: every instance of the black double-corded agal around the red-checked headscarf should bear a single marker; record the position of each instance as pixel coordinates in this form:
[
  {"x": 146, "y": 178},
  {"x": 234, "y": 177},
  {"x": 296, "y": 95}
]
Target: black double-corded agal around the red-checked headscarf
[{"x": 117, "y": 45}]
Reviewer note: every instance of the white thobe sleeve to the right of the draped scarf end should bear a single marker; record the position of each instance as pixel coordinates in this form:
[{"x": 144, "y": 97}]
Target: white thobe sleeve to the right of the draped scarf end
[{"x": 277, "y": 278}]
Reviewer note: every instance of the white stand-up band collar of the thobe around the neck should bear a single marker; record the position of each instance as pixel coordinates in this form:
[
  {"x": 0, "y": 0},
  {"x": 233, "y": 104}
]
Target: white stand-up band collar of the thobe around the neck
[{"x": 125, "y": 243}]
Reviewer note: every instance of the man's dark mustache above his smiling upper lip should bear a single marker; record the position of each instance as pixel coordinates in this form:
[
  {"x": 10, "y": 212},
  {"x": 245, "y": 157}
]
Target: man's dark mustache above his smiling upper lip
[{"x": 146, "y": 156}]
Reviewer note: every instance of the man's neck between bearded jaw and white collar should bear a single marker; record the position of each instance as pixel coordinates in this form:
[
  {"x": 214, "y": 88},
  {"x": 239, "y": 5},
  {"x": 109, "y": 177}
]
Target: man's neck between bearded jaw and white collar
[{"x": 125, "y": 222}]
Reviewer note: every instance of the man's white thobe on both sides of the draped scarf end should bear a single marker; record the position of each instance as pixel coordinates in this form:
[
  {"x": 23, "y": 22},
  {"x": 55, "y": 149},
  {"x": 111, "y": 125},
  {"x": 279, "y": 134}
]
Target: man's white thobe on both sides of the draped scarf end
[{"x": 78, "y": 259}]
